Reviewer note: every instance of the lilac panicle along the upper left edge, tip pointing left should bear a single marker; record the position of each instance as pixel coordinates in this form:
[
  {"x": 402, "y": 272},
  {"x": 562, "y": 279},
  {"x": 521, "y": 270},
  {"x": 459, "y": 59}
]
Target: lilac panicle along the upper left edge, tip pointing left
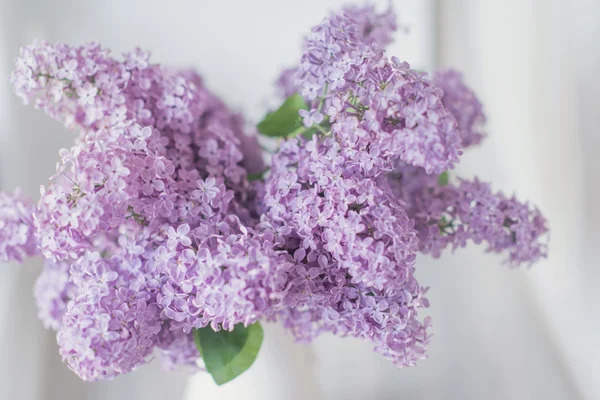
[{"x": 122, "y": 91}]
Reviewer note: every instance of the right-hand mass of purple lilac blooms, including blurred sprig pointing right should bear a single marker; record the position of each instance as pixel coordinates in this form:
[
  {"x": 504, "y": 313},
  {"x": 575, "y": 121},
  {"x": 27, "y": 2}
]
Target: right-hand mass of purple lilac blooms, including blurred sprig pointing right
[{"x": 356, "y": 201}]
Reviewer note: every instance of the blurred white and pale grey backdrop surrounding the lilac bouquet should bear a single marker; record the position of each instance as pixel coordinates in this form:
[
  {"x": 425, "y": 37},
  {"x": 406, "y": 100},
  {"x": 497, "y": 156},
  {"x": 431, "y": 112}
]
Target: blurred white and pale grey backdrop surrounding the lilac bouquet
[{"x": 499, "y": 334}]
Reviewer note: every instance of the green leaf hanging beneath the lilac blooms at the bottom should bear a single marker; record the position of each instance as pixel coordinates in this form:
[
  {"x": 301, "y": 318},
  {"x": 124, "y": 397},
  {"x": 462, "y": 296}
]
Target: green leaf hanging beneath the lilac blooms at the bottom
[{"x": 227, "y": 354}]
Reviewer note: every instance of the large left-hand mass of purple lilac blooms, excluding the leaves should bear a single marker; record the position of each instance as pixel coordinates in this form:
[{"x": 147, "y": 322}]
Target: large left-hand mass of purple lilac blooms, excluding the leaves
[{"x": 145, "y": 221}]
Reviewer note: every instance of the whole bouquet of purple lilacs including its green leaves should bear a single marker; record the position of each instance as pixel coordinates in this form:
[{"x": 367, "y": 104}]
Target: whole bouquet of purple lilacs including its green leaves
[{"x": 163, "y": 231}]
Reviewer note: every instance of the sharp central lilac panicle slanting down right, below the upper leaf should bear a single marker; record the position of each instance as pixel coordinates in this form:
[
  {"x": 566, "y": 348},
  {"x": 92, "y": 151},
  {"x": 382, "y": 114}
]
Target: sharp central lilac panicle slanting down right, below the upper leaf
[{"x": 338, "y": 213}]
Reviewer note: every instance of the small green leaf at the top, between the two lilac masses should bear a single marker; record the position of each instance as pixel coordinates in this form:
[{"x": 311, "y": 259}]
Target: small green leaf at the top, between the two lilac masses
[{"x": 285, "y": 120}]
